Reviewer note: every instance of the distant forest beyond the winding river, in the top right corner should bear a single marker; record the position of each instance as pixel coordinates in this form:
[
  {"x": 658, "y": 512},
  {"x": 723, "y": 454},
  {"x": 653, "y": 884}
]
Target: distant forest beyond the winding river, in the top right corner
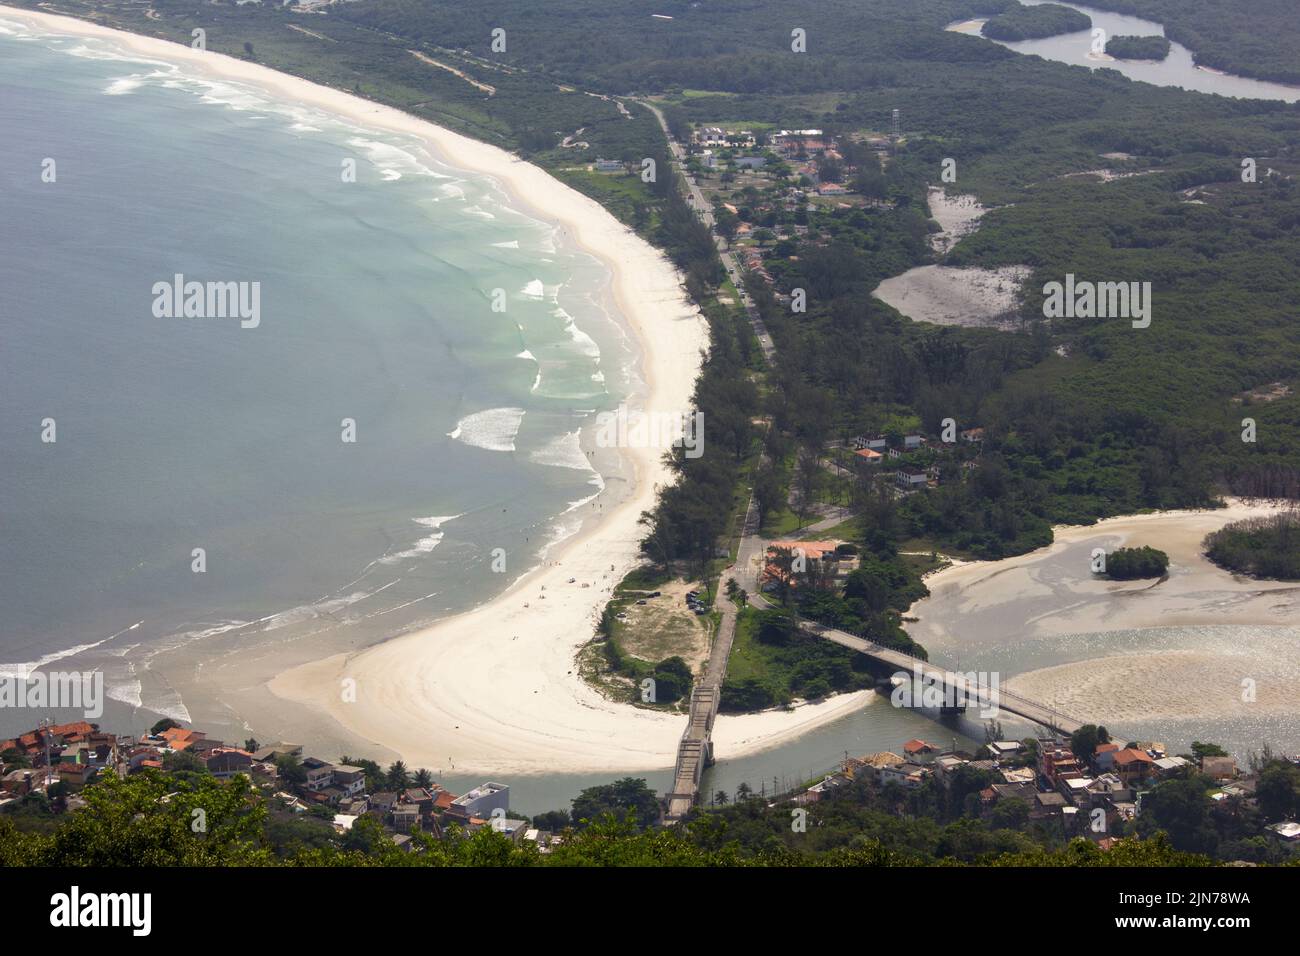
[{"x": 1255, "y": 38}]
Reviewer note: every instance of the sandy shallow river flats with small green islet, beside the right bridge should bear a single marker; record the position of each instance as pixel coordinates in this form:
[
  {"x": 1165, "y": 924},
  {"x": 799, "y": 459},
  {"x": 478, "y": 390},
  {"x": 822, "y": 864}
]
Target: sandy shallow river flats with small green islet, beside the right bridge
[{"x": 1165, "y": 661}]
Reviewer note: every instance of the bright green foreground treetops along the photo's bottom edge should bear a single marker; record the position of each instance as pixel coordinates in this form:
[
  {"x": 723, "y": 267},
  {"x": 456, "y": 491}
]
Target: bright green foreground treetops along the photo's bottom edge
[{"x": 149, "y": 820}]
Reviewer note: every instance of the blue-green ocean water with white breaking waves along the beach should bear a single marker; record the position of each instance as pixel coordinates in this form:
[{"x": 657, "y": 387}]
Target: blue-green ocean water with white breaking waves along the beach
[{"x": 174, "y": 434}]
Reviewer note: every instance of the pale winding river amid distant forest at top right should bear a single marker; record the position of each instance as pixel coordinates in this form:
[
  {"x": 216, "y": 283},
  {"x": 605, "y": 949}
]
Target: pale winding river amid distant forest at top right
[{"x": 1178, "y": 70}]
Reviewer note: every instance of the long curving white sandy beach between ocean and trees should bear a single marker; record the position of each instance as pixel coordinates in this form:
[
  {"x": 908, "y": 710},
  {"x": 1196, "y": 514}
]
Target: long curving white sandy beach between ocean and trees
[{"x": 496, "y": 690}]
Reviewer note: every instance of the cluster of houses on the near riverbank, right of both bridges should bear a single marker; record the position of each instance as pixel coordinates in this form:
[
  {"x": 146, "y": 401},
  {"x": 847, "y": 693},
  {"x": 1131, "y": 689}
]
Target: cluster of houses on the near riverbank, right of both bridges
[{"x": 1086, "y": 798}]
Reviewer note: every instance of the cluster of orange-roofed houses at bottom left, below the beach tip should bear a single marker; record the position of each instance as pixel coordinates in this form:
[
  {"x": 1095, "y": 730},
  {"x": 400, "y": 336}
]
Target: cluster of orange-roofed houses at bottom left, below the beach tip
[{"x": 73, "y": 755}]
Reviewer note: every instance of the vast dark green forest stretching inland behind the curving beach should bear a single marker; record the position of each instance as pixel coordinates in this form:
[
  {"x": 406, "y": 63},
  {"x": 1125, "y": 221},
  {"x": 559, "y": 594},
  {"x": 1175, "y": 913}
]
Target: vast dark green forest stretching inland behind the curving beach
[{"x": 1085, "y": 418}]
